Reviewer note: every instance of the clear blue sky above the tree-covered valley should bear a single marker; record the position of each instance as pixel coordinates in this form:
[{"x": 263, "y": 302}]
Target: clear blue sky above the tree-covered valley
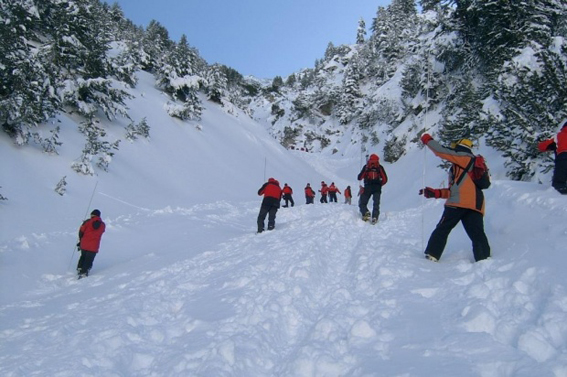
[{"x": 264, "y": 38}]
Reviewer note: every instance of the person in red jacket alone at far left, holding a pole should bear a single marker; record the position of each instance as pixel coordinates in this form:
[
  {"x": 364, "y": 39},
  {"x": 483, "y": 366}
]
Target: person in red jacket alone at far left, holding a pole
[{"x": 90, "y": 234}]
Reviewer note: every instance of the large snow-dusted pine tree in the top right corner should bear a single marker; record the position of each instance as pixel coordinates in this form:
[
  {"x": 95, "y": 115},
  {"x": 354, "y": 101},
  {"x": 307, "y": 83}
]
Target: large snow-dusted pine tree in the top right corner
[{"x": 531, "y": 87}]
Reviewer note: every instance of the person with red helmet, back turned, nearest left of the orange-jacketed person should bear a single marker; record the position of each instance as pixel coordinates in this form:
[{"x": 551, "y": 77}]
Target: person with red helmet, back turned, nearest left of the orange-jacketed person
[{"x": 374, "y": 177}]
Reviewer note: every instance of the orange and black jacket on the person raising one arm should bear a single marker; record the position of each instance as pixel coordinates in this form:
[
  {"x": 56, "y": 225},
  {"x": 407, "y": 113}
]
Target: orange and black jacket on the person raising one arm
[{"x": 462, "y": 191}]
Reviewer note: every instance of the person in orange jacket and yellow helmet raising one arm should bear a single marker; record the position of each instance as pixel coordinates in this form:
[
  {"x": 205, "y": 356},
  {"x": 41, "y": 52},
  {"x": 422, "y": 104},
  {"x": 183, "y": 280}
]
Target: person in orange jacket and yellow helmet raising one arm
[{"x": 465, "y": 201}]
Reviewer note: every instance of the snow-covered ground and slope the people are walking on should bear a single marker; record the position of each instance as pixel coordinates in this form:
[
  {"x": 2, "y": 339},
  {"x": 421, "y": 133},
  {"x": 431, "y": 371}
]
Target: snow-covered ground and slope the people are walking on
[{"x": 184, "y": 287}]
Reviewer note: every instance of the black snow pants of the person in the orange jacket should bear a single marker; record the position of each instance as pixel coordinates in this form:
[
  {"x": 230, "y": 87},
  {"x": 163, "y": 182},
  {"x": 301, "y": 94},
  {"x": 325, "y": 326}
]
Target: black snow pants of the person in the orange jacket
[{"x": 473, "y": 222}]
